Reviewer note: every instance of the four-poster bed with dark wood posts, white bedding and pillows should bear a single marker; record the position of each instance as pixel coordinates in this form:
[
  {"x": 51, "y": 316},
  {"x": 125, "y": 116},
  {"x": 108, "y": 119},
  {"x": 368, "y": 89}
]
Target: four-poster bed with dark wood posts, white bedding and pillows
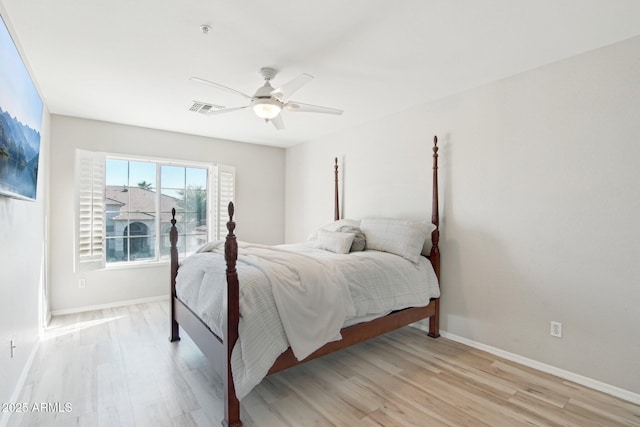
[{"x": 225, "y": 336}]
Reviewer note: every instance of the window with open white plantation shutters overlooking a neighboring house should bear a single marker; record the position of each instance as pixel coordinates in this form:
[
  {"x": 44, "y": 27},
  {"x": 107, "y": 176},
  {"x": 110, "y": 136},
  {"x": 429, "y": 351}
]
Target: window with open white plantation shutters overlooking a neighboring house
[{"x": 124, "y": 208}]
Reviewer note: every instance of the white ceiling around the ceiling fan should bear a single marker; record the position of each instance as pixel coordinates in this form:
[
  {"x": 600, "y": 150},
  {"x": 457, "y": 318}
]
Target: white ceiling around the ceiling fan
[{"x": 129, "y": 61}]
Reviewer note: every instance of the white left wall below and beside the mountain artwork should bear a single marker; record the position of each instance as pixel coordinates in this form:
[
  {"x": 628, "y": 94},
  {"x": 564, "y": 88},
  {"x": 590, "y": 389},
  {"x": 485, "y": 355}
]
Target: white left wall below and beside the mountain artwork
[{"x": 22, "y": 269}]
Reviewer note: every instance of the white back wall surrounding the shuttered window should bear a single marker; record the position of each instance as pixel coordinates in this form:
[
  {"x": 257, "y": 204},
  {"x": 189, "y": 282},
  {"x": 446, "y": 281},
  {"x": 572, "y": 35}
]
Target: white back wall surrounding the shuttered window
[{"x": 259, "y": 202}]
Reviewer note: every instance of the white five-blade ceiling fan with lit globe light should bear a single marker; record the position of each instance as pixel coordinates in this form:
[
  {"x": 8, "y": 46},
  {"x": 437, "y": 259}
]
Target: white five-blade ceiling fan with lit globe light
[{"x": 267, "y": 102}]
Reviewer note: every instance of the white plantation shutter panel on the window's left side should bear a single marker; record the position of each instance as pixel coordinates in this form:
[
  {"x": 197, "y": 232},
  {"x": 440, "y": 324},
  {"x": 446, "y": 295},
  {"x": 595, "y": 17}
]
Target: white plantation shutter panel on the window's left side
[{"x": 90, "y": 210}]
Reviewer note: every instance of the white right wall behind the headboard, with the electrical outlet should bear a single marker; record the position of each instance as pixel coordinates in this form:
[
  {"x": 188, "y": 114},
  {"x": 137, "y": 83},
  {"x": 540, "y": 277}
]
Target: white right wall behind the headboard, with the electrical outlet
[{"x": 540, "y": 202}]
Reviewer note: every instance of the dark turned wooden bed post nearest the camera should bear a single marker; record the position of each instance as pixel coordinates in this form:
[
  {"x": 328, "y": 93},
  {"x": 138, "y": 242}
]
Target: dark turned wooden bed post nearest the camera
[{"x": 232, "y": 404}]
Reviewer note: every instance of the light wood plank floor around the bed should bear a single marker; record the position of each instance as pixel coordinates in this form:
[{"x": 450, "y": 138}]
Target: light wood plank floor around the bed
[{"x": 117, "y": 368}]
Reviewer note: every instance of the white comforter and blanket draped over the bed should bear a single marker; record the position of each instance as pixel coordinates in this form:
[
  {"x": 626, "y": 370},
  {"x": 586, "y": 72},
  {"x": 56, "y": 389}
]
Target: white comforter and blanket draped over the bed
[{"x": 299, "y": 299}]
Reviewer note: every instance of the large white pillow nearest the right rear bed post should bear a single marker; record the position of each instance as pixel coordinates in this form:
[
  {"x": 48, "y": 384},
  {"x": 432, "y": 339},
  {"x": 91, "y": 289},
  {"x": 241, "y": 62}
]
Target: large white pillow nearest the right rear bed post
[{"x": 397, "y": 236}]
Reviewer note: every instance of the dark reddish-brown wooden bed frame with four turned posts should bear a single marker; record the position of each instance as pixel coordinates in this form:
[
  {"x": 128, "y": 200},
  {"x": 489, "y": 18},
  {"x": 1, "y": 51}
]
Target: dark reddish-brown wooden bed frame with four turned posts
[{"x": 218, "y": 352}]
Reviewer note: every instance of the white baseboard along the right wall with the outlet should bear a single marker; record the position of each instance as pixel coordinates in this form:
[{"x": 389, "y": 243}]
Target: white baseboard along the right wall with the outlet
[{"x": 567, "y": 375}]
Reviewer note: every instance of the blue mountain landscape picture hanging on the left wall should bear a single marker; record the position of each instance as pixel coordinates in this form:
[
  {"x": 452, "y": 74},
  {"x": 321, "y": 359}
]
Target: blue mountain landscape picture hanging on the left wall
[{"x": 20, "y": 123}]
